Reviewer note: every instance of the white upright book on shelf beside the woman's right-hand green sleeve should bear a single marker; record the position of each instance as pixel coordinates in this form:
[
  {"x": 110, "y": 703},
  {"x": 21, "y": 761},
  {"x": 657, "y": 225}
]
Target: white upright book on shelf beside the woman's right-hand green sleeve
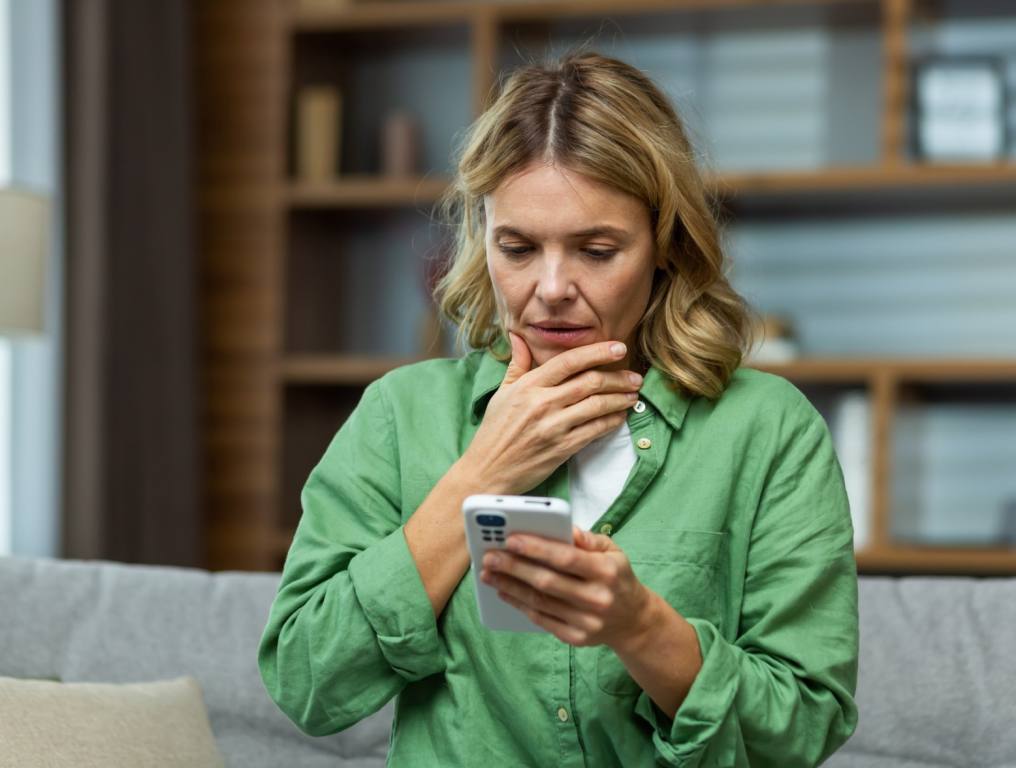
[{"x": 851, "y": 430}]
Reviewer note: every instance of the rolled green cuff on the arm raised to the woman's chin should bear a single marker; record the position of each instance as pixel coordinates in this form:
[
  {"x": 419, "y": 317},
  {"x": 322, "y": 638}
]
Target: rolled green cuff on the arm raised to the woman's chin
[{"x": 394, "y": 599}]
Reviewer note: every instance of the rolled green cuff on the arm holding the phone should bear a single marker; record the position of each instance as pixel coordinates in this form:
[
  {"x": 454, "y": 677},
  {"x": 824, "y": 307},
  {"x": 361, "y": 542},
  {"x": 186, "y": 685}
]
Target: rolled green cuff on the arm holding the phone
[{"x": 703, "y": 718}]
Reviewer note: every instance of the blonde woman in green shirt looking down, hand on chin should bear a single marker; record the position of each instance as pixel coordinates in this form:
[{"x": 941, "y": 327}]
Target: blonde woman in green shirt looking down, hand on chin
[{"x": 708, "y": 615}]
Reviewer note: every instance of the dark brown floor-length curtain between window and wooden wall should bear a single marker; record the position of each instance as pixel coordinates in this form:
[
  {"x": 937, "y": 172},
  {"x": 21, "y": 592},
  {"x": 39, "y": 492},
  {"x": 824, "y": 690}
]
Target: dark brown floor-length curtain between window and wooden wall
[{"x": 133, "y": 465}]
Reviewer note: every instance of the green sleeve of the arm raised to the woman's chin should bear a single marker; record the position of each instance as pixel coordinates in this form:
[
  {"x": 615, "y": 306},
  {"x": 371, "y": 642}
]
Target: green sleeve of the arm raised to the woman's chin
[{"x": 351, "y": 624}]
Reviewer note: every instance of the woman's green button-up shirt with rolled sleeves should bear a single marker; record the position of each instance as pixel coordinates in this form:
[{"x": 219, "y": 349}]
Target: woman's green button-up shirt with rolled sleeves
[{"x": 736, "y": 514}]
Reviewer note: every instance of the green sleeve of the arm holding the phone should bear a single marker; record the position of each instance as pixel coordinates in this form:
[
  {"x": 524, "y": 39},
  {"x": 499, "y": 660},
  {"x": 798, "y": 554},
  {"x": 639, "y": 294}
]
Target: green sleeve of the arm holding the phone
[{"x": 782, "y": 694}]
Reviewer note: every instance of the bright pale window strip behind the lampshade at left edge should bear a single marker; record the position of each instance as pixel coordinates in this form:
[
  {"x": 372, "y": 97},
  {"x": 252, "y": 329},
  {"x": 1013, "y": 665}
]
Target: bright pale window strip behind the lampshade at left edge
[{"x": 30, "y": 367}]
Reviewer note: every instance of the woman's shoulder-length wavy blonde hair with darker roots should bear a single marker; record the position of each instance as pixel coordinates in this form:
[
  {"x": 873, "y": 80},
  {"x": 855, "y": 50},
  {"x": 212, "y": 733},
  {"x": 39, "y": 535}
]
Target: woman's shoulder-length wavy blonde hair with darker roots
[{"x": 604, "y": 118}]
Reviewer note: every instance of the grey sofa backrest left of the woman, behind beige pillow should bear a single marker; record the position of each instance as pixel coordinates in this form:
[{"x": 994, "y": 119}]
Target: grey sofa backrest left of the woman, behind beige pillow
[{"x": 97, "y": 621}]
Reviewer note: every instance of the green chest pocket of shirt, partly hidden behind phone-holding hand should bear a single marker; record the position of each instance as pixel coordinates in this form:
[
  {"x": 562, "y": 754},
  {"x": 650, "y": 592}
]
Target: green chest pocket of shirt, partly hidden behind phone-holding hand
[{"x": 679, "y": 565}]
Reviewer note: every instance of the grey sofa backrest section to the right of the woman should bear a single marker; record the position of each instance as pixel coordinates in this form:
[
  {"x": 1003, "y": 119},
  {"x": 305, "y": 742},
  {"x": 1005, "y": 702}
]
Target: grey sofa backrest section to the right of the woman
[{"x": 937, "y": 674}]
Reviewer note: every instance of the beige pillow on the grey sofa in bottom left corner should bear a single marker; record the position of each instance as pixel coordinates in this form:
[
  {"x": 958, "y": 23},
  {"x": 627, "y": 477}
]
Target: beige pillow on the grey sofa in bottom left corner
[{"x": 105, "y": 726}]
